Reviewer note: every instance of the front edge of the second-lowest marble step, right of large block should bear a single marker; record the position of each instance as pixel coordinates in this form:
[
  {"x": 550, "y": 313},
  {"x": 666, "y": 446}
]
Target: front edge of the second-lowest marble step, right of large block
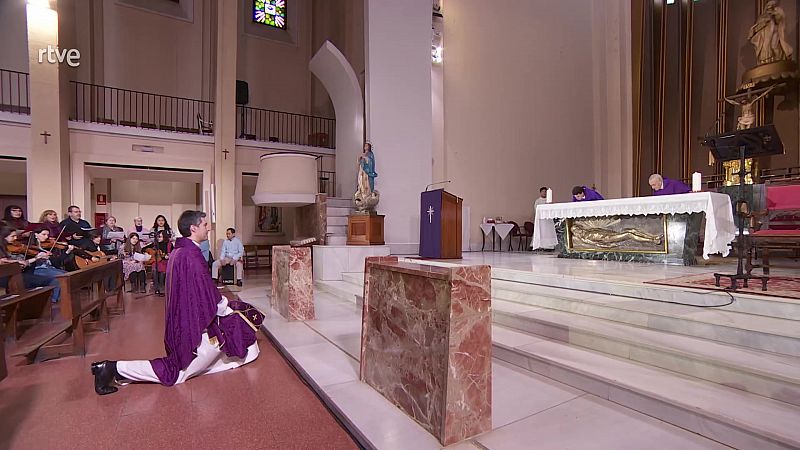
[{"x": 756, "y": 380}]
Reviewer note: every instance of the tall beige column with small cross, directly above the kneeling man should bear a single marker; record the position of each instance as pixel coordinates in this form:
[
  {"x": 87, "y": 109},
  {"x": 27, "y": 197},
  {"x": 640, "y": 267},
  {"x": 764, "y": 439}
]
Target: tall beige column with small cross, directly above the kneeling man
[{"x": 225, "y": 119}]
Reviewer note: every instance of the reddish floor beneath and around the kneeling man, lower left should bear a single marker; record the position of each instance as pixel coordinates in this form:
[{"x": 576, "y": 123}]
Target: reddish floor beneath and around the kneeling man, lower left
[{"x": 263, "y": 405}]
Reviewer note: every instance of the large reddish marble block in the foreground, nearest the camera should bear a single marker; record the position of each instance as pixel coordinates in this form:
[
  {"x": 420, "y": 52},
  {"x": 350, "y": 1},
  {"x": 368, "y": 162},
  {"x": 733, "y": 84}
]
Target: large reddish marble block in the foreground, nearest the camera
[{"x": 426, "y": 344}]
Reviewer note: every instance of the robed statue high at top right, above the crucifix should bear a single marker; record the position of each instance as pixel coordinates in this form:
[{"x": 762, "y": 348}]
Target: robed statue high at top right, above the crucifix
[{"x": 768, "y": 35}]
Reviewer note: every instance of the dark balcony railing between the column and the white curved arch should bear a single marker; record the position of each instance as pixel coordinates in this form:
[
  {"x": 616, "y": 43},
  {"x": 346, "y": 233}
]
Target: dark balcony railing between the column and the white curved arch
[{"x": 290, "y": 128}]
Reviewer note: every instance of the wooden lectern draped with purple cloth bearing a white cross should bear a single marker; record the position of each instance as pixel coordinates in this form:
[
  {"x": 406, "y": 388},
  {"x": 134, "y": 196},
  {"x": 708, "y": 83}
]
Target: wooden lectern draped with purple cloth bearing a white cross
[{"x": 440, "y": 225}]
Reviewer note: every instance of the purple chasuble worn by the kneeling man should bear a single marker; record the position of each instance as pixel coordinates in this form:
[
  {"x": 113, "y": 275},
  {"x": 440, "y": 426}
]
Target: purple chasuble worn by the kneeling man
[{"x": 191, "y": 309}]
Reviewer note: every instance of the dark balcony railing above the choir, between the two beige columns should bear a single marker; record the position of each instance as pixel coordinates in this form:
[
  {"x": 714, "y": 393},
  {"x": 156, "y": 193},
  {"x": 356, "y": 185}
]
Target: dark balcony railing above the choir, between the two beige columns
[{"x": 115, "y": 106}]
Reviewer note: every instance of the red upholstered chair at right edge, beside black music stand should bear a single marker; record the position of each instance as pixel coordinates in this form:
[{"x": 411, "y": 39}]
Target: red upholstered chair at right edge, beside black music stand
[{"x": 775, "y": 228}]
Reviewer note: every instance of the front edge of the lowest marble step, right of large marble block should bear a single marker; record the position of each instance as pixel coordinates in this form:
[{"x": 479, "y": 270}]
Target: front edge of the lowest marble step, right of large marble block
[{"x": 737, "y": 431}]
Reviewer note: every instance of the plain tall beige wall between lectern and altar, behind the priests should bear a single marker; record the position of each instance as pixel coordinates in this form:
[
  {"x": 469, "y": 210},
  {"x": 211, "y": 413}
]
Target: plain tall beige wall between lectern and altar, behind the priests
[{"x": 518, "y": 104}]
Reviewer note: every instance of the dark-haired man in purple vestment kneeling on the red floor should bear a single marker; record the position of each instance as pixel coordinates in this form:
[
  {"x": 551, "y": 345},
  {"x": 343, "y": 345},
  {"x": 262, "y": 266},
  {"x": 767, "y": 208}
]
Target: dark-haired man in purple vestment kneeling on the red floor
[{"x": 202, "y": 334}]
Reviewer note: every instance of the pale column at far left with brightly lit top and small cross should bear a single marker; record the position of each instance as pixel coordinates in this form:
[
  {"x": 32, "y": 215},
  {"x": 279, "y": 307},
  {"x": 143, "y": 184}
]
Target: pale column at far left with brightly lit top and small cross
[{"x": 48, "y": 162}]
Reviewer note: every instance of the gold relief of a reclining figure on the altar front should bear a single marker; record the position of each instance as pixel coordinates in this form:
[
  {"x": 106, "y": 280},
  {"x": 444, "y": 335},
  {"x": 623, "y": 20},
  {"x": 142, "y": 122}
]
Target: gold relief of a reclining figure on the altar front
[{"x": 622, "y": 234}]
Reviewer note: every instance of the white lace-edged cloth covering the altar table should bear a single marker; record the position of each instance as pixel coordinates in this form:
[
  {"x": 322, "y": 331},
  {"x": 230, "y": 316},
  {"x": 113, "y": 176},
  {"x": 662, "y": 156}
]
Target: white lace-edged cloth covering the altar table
[{"x": 719, "y": 232}]
